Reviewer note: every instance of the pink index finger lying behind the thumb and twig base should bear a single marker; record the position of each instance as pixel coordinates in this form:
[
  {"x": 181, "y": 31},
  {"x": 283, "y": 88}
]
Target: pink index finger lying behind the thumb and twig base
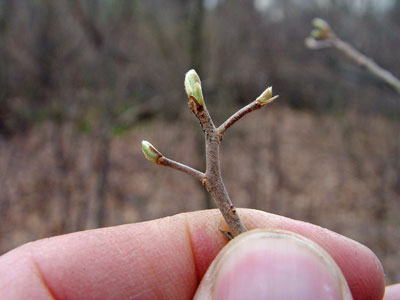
[{"x": 159, "y": 259}]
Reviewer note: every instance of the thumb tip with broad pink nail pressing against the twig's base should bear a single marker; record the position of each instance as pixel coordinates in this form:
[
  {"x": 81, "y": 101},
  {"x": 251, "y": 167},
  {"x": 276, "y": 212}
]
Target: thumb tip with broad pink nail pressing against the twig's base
[{"x": 273, "y": 264}]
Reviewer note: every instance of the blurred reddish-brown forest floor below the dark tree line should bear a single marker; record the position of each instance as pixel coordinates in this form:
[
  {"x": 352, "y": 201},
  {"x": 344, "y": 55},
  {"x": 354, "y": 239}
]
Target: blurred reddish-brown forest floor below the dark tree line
[{"x": 340, "y": 173}]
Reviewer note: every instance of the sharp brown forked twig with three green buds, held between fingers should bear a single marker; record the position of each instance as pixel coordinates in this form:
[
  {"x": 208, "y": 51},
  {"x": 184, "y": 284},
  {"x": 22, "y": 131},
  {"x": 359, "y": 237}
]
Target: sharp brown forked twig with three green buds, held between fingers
[{"x": 211, "y": 179}]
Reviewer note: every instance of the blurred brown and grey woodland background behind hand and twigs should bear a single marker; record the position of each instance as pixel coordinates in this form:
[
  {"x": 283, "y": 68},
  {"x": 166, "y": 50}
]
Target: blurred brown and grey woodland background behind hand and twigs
[{"x": 82, "y": 82}]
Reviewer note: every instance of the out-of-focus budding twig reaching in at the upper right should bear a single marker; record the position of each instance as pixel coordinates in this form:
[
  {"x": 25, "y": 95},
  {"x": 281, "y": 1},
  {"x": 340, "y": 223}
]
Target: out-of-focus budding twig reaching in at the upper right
[{"x": 324, "y": 37}]
